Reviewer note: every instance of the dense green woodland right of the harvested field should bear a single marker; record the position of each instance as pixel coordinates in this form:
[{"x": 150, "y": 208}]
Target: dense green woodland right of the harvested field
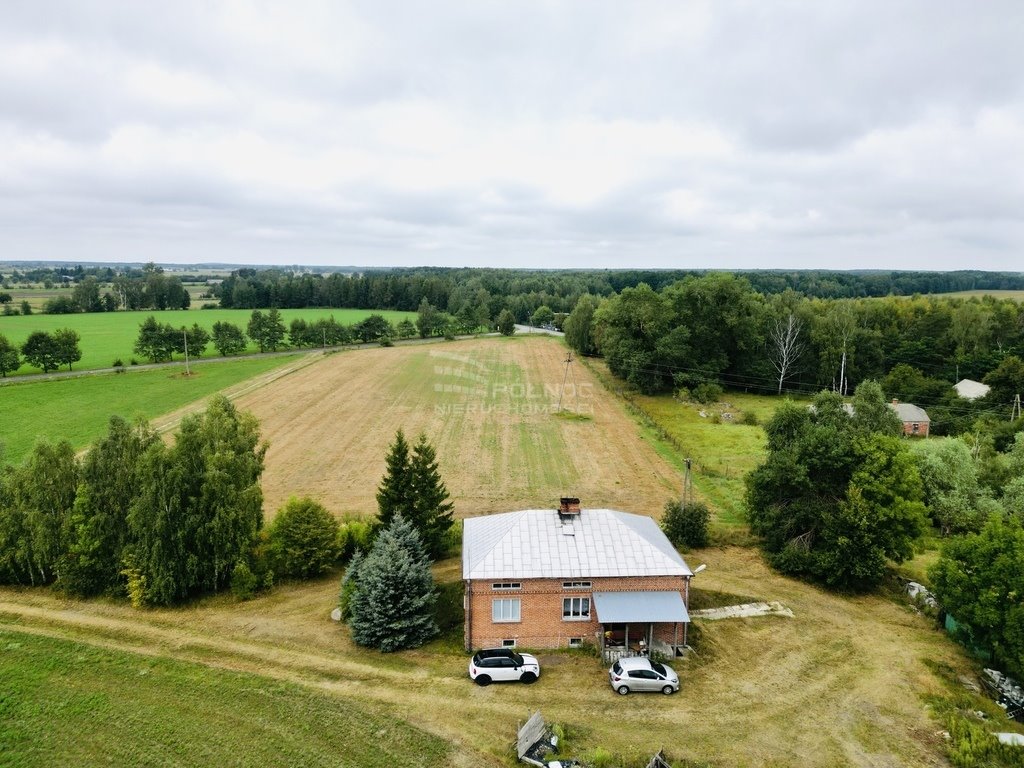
[{"x": 718, "y": 330}]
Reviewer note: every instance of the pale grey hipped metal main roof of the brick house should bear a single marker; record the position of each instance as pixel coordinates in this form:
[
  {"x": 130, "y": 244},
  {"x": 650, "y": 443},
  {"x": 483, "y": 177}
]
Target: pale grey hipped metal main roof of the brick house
[{"x": 540, "y": 544}]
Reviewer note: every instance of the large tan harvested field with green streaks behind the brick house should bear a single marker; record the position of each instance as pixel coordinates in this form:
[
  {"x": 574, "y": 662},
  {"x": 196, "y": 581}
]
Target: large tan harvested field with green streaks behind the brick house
[{"x": 489, "y": 406}]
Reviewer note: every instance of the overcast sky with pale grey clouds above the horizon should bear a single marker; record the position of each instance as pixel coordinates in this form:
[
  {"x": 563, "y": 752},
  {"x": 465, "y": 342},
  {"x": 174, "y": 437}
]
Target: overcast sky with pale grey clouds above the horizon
[{"x": 538, "y": 135}]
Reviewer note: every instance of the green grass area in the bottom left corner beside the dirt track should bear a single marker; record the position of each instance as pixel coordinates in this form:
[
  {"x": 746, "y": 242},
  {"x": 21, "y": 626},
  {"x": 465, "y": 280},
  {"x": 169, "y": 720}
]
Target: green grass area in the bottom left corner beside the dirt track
[{"x": 69, "y": 704}]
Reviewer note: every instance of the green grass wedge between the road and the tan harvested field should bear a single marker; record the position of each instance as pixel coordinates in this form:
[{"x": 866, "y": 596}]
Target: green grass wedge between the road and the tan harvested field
[{"x": 77, "y": 410}]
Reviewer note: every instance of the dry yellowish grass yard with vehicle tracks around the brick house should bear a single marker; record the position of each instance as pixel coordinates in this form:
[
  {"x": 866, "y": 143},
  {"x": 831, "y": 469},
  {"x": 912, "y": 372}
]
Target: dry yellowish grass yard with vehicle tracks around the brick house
[{"x": 840, "y": 685}]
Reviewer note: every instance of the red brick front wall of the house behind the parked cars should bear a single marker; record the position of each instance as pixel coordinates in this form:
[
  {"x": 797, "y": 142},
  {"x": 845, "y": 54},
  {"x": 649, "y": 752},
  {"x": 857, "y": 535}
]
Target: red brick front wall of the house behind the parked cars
[{"x": 541, "y": 624}]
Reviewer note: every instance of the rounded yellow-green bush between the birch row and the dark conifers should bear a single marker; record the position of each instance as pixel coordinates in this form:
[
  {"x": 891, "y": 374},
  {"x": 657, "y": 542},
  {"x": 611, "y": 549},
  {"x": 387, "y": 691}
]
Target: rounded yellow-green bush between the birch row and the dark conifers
[{"x": 303, "y": 541}]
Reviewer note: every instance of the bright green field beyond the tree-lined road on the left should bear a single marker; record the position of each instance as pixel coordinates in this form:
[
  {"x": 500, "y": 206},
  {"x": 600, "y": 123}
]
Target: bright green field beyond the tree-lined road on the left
[{"x": 111, "y": 336}]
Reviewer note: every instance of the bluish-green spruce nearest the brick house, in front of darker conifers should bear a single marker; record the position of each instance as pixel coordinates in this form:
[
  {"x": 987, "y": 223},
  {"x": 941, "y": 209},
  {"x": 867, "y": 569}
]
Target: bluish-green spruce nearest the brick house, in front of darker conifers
[{"x": 394, "y": 603}]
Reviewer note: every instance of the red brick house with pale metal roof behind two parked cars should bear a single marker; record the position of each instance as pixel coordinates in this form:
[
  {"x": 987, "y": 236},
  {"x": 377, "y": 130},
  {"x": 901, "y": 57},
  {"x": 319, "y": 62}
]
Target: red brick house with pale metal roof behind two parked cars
[{"x": 562, "y": 578}]
